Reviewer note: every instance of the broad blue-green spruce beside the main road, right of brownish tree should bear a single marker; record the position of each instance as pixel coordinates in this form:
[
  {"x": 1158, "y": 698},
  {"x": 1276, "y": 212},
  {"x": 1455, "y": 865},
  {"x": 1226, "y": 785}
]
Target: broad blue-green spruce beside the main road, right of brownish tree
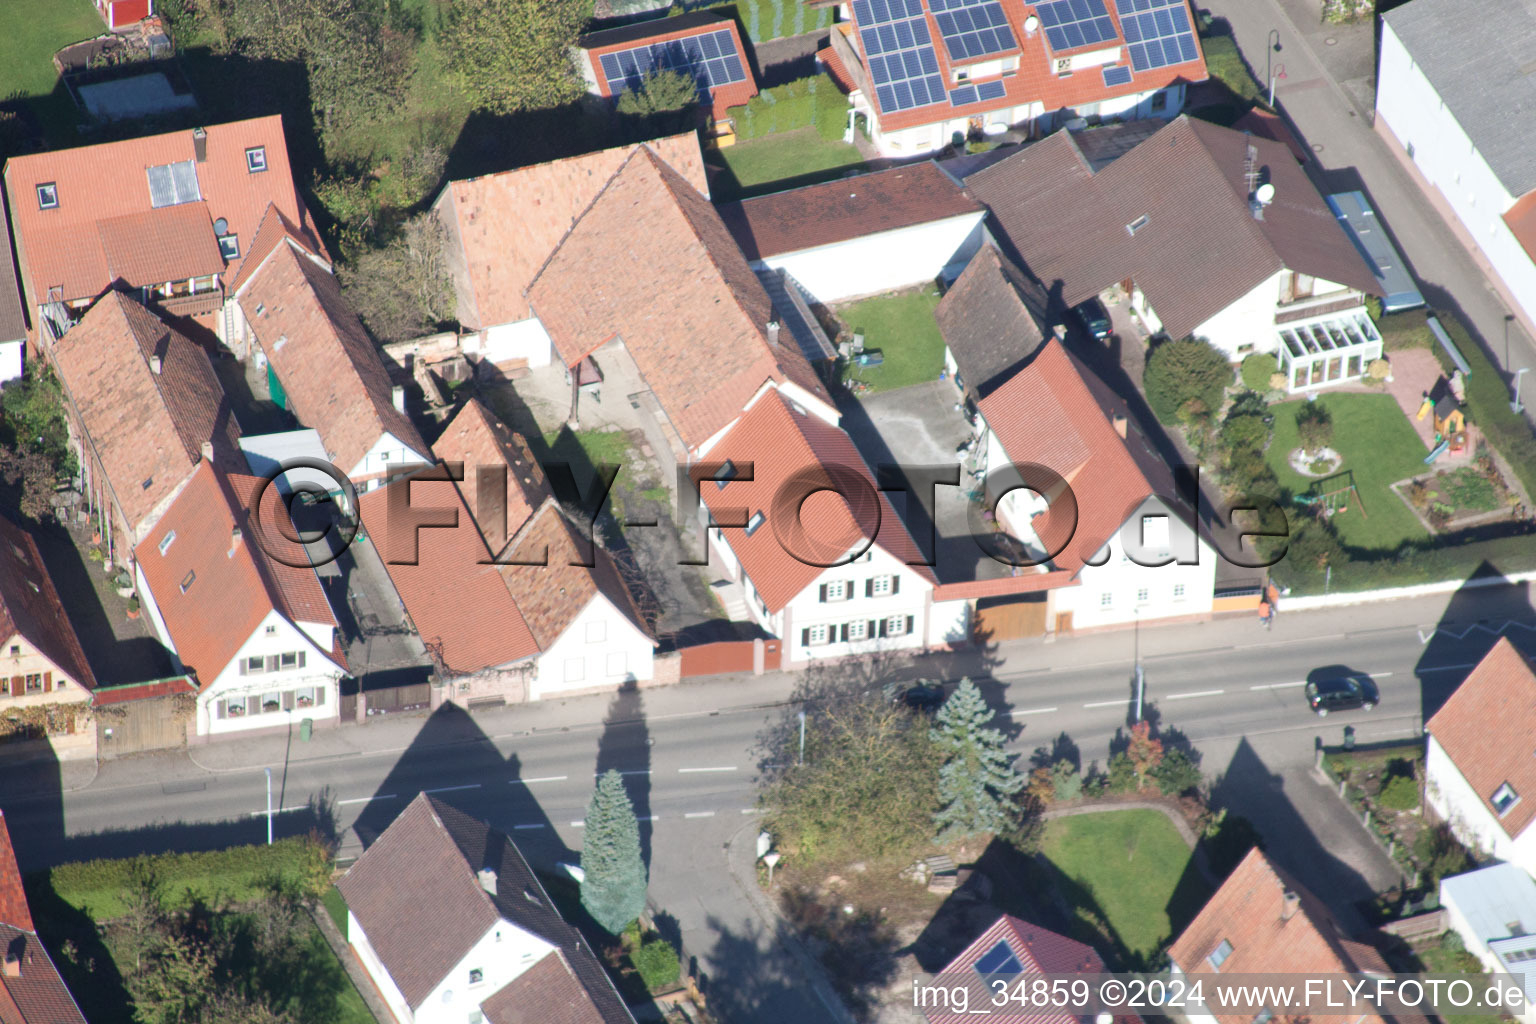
[{"x": 978, "y": 784}]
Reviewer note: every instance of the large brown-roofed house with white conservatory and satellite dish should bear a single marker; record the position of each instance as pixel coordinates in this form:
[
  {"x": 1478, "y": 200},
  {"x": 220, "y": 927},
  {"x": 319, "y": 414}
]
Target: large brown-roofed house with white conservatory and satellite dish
[{"x": 1205, "y": 233}]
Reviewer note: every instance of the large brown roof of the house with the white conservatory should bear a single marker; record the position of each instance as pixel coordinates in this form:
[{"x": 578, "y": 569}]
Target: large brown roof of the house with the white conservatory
[{"x": 1200, "y": 248}]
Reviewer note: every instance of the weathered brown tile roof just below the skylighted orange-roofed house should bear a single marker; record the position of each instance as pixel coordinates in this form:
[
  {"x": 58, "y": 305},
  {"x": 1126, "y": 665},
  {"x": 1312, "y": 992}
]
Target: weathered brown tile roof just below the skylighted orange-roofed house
[{"x": 144, "y": 426}]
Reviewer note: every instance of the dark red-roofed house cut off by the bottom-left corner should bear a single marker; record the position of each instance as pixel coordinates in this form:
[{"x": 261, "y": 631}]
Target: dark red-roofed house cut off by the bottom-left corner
[{"x": 31, "y": 989}]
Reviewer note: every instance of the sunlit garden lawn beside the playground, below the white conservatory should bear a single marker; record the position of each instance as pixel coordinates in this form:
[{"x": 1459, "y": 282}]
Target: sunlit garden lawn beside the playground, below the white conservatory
[{"x": 1380, "y": 446}]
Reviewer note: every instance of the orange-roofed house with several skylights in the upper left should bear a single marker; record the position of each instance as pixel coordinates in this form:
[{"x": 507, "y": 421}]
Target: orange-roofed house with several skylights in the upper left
[{"x": 170, "y": 217}]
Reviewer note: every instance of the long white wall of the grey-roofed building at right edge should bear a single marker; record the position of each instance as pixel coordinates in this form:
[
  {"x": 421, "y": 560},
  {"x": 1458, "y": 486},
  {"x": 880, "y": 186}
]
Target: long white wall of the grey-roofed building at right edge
[{"x": 1435, "y": 142}]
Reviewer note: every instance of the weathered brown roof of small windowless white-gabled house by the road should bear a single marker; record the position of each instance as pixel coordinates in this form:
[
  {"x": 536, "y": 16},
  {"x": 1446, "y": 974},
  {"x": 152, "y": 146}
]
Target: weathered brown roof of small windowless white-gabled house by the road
[{"x": 551, "y": 596}]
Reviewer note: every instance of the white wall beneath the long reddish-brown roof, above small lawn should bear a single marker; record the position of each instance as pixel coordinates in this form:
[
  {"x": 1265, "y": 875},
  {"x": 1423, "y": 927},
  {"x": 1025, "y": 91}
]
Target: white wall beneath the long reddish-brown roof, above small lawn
[{"x": 878, "y": 263}]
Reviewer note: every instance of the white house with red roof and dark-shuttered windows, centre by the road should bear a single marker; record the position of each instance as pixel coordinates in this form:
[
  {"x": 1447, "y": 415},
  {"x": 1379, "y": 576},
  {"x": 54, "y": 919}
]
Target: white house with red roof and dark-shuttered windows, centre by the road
[{"x": 793, "y": 515}]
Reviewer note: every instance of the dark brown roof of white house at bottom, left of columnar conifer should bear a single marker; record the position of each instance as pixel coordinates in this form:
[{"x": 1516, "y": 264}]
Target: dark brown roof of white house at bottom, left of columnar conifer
[{"x": 417, "y": 894}]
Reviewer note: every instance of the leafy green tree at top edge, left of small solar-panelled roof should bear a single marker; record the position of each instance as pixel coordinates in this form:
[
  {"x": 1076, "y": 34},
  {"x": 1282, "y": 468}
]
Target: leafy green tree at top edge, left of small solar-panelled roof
[{"x": 515, "y": 56}]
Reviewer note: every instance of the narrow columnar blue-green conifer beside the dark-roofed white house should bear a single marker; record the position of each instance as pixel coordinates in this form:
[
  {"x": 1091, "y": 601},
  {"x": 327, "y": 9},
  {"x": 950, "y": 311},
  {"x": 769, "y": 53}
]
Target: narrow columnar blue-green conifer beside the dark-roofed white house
[{"x": 614, "y": 884}]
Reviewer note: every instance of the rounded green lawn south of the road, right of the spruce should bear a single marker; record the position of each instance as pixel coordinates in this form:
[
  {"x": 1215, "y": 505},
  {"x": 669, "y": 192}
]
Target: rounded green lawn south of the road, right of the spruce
[{"x": 1127, "y": 873}]
